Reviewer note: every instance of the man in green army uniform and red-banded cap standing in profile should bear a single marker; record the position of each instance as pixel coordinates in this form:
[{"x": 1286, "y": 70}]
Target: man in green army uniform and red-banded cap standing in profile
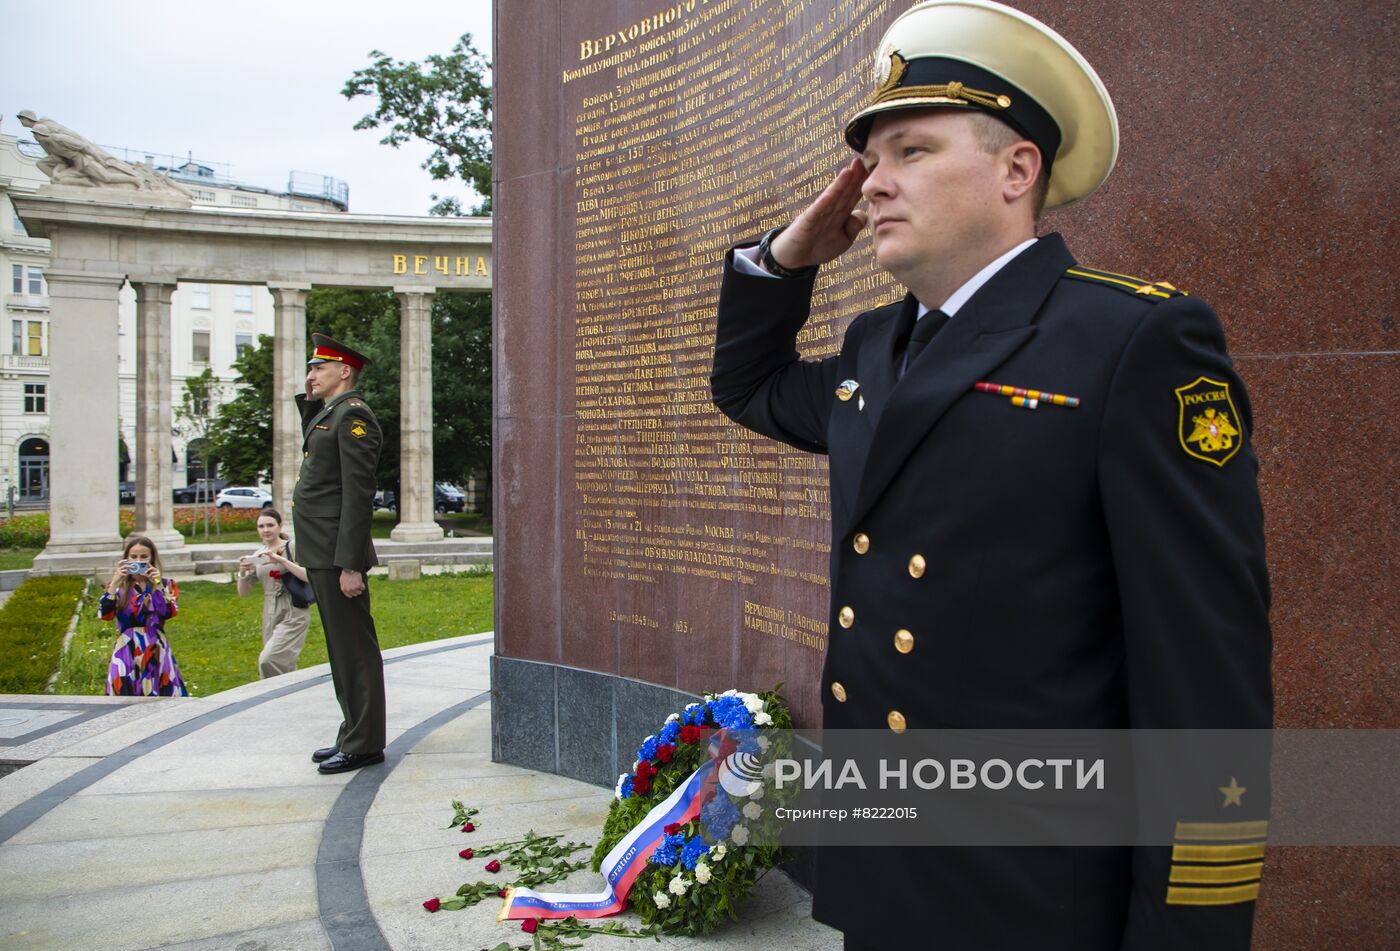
[{"x": 332, "y": 509}]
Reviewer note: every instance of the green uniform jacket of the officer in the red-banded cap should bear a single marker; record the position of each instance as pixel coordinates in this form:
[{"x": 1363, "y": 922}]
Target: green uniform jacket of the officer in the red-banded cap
[{"x": 334, "y": 504}]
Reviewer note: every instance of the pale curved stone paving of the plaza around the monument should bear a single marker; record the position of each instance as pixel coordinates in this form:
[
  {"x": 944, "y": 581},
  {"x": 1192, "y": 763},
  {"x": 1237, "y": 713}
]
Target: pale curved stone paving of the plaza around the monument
[{"x": 204, "y": 824}]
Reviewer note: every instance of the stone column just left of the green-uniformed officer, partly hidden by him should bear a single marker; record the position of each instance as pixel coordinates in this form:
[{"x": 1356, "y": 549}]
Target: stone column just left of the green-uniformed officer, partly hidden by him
[{"x": 289, "y": 376}]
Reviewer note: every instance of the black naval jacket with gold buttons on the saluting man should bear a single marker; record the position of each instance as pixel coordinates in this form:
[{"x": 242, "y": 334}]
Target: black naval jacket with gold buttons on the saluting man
[{"x": 1081, "y": 569}]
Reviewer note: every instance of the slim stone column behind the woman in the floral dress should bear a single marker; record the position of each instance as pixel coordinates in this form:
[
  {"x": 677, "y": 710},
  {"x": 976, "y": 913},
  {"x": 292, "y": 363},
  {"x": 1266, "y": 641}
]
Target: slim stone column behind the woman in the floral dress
[{"x": 155, "y": 477}]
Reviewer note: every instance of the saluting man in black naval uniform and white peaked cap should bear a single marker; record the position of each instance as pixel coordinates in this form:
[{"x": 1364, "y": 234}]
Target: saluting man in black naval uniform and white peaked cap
[{"x": 1044, "y": 492}]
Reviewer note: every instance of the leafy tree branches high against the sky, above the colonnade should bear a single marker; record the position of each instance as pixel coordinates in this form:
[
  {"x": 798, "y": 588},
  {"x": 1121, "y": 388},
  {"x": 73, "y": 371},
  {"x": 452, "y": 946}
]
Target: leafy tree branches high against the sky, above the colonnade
[{"x": 444, "y": 102}]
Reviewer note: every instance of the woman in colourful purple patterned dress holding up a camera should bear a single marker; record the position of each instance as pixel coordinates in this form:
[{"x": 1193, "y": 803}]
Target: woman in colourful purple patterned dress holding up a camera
[{"x": 141, "y": 602}]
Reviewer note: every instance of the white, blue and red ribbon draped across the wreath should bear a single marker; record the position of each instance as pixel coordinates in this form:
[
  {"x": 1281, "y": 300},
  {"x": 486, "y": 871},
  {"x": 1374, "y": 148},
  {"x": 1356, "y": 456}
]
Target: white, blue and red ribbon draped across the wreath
[{"x": 631, "y": 856}]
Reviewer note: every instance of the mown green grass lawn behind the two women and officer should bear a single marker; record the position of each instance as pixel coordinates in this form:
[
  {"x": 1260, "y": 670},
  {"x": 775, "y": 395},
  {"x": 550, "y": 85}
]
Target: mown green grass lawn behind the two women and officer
[{"x": 216, "y": 637}]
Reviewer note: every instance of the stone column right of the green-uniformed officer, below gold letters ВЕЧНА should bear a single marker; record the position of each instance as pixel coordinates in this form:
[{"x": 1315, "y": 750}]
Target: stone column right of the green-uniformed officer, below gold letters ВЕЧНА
[{"x": 415, "y": 419}]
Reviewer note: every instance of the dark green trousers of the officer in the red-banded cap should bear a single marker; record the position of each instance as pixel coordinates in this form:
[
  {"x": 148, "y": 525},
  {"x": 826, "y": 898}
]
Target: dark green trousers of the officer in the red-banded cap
[{"x": 356, "y": 665}]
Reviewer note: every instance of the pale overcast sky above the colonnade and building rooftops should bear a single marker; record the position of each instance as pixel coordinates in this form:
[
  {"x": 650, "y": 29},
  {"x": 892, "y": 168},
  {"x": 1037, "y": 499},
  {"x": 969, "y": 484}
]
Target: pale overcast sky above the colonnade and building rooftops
[{"x": 255, "y": 85}]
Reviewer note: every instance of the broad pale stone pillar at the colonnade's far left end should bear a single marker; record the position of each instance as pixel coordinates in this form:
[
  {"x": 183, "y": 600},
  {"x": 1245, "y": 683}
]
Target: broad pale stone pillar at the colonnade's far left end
[{"x": 83, "y": 419}]
